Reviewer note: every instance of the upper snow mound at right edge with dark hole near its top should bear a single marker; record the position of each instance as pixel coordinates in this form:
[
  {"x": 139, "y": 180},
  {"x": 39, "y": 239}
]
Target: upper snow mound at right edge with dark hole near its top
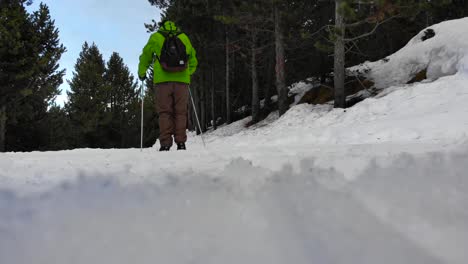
[{"x": 441, "y": 55}]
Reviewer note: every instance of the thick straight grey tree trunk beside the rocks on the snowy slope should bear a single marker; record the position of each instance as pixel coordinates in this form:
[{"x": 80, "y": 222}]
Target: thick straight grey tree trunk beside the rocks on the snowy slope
[{"x": 339, "y": 58}]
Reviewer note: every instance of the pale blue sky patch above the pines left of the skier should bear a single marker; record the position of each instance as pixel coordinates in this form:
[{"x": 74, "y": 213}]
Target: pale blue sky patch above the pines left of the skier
[{"x": 114, "y": 25}]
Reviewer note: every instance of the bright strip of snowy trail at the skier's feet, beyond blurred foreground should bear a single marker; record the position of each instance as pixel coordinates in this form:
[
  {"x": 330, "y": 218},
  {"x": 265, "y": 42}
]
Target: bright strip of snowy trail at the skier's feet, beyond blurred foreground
[{"x": 43, "y": 171}]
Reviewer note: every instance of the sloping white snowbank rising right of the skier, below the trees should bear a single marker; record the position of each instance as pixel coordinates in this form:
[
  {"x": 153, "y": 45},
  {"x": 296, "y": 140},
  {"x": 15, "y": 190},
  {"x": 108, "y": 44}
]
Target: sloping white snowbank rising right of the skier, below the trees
[{"x": 420, "y": 113}]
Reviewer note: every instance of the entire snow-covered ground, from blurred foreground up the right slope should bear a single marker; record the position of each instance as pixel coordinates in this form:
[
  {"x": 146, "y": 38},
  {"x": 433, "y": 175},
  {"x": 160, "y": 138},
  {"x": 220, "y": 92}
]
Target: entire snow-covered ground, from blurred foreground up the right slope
[{"x": 383, "y": 182}]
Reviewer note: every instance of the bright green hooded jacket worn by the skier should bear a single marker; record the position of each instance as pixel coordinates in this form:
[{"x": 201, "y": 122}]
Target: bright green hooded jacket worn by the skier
[{"x": 154, "y": 46}]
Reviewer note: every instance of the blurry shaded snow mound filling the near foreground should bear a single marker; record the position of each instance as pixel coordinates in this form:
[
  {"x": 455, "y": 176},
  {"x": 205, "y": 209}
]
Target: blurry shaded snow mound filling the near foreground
[{"x": 412, "y": 211}]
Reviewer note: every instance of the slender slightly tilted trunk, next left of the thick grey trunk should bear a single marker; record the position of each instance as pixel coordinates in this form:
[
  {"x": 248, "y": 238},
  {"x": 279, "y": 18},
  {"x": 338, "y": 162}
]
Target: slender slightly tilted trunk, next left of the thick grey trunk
[{"x": 280, "y": 65}]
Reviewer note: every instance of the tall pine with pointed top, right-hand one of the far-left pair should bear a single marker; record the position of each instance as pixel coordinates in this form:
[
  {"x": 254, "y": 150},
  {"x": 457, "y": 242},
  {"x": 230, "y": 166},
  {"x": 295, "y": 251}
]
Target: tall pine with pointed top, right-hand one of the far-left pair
[{"x": 30, "y": 133}]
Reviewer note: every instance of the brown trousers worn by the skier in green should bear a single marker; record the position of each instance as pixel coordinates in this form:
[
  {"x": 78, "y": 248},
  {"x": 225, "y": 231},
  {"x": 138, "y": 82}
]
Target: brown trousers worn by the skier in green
[{"x": 172, "y": 106}]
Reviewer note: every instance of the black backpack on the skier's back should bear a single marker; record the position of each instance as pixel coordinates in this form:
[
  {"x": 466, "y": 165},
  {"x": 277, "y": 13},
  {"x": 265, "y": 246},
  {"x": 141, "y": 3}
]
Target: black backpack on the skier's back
[{"x": 173, "y": 53}]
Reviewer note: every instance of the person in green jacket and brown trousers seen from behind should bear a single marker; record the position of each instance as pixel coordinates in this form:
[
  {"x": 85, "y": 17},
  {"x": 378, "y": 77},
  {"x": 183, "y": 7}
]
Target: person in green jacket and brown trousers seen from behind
[{"x": 172, "y": 92}]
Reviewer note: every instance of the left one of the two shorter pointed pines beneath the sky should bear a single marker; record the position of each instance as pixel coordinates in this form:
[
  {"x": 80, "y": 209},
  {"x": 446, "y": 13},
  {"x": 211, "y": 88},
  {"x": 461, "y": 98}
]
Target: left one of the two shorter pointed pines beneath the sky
[{"x": 88, "y": 100}]
